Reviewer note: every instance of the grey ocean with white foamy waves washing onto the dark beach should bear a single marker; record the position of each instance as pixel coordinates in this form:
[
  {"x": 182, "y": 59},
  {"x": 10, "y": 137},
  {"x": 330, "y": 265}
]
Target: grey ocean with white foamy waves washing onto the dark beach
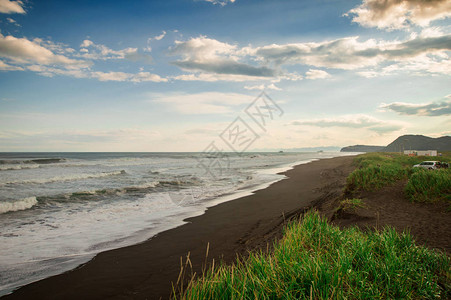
[{"x": 57, "y": 210}]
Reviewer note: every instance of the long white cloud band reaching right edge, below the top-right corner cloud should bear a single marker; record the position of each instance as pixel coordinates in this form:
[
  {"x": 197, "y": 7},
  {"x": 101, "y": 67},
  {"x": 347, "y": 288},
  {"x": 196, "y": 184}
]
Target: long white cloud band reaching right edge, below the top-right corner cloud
[{"x": 350, "y": 54}]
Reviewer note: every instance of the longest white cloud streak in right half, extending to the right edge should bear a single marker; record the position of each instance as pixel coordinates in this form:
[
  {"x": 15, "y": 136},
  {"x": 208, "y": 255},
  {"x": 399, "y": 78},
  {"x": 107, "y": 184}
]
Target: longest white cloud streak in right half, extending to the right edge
[{"x": 414, "y": 55}]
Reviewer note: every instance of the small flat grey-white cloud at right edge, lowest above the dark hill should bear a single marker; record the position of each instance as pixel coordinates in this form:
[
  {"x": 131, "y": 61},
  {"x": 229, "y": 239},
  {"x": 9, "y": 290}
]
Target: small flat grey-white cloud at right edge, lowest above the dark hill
[{"x": 432, "y": 109}]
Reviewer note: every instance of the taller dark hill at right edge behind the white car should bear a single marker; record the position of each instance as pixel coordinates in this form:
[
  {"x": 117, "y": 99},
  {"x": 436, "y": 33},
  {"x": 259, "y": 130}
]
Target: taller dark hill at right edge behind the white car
[{"x": 419, "y": 142}]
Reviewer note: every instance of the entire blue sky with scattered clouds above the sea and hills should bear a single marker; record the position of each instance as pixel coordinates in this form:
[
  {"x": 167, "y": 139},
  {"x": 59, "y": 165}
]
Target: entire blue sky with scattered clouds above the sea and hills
[{"x": 231, "y": 75}]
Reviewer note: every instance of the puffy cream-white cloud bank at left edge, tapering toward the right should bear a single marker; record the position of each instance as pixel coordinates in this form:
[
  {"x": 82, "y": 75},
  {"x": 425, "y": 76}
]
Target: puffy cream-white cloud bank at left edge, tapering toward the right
[{"x": 49, "y": 59}]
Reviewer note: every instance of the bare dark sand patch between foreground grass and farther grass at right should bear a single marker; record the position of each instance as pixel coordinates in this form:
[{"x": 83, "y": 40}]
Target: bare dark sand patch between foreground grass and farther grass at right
[{"x": 429, "y": 223}]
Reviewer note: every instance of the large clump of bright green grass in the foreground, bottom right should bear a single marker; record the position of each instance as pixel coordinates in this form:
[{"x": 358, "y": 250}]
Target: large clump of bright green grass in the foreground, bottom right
[{"x": 316, "y": 260}]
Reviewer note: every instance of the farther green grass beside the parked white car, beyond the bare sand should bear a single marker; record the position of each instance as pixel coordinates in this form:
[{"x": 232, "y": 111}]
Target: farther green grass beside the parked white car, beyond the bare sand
[{"x": 376, "y": 170}]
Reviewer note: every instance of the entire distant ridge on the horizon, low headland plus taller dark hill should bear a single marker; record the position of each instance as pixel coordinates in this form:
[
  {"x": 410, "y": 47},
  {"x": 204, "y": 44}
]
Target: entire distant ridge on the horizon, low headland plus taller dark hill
[{"x": 406, "y": 142}]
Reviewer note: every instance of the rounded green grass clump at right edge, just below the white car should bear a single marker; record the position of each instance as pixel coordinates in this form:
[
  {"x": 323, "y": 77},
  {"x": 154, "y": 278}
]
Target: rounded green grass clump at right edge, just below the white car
[{"x": 429, "y": 185}]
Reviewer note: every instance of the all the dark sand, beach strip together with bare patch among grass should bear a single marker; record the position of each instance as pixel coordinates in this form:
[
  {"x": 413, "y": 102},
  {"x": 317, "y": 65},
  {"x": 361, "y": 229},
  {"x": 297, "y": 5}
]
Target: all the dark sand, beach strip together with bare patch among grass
[{"x": 145, "y": 271}]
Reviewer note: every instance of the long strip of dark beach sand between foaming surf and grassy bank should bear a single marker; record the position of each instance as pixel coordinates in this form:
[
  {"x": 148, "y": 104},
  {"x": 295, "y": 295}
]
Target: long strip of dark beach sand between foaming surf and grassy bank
[{"x": 146, "y": 270}]
